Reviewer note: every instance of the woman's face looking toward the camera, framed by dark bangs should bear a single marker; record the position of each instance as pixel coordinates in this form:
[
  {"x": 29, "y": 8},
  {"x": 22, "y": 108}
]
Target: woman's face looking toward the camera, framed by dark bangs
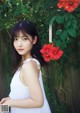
[{"x": 23, "y": 44}]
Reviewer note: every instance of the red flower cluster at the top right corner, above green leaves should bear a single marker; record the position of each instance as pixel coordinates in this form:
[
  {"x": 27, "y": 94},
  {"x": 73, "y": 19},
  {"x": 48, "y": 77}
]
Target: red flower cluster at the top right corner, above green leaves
[{"x": 68, "y": 5}]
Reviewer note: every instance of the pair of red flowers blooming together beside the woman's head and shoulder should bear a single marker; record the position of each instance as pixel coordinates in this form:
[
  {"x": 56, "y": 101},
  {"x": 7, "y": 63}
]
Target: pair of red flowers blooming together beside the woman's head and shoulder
[{"x": 50, "y": 52}]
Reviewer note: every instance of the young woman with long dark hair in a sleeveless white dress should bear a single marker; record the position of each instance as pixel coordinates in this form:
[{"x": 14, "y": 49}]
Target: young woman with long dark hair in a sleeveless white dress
[{"x": 27, "y": 93}]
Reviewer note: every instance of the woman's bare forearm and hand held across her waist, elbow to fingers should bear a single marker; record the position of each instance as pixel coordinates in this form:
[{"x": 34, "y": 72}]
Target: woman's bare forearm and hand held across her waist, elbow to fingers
[{"x": 24, "y": 103}]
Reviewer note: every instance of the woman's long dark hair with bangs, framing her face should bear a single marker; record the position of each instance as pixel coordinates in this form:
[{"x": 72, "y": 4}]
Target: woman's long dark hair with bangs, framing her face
[{"x": 29, "y": 28}]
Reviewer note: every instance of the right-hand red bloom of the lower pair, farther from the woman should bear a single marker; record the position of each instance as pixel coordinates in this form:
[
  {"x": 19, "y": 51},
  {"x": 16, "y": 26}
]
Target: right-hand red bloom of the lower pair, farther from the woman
[{"x": 56, "y": 53}]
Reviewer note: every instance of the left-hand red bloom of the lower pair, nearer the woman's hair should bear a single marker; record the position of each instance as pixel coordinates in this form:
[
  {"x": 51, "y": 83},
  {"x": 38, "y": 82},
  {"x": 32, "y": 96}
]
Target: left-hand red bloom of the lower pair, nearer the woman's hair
[{"x": 46, "y": 50}]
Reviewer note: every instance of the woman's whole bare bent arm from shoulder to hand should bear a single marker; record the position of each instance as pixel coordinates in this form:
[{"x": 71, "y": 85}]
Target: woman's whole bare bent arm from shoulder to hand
[{"x": 30, "y": 73}]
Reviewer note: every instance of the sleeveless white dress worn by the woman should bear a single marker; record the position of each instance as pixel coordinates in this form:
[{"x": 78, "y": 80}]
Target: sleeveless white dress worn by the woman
[{"x": 19, "y": 91}]
